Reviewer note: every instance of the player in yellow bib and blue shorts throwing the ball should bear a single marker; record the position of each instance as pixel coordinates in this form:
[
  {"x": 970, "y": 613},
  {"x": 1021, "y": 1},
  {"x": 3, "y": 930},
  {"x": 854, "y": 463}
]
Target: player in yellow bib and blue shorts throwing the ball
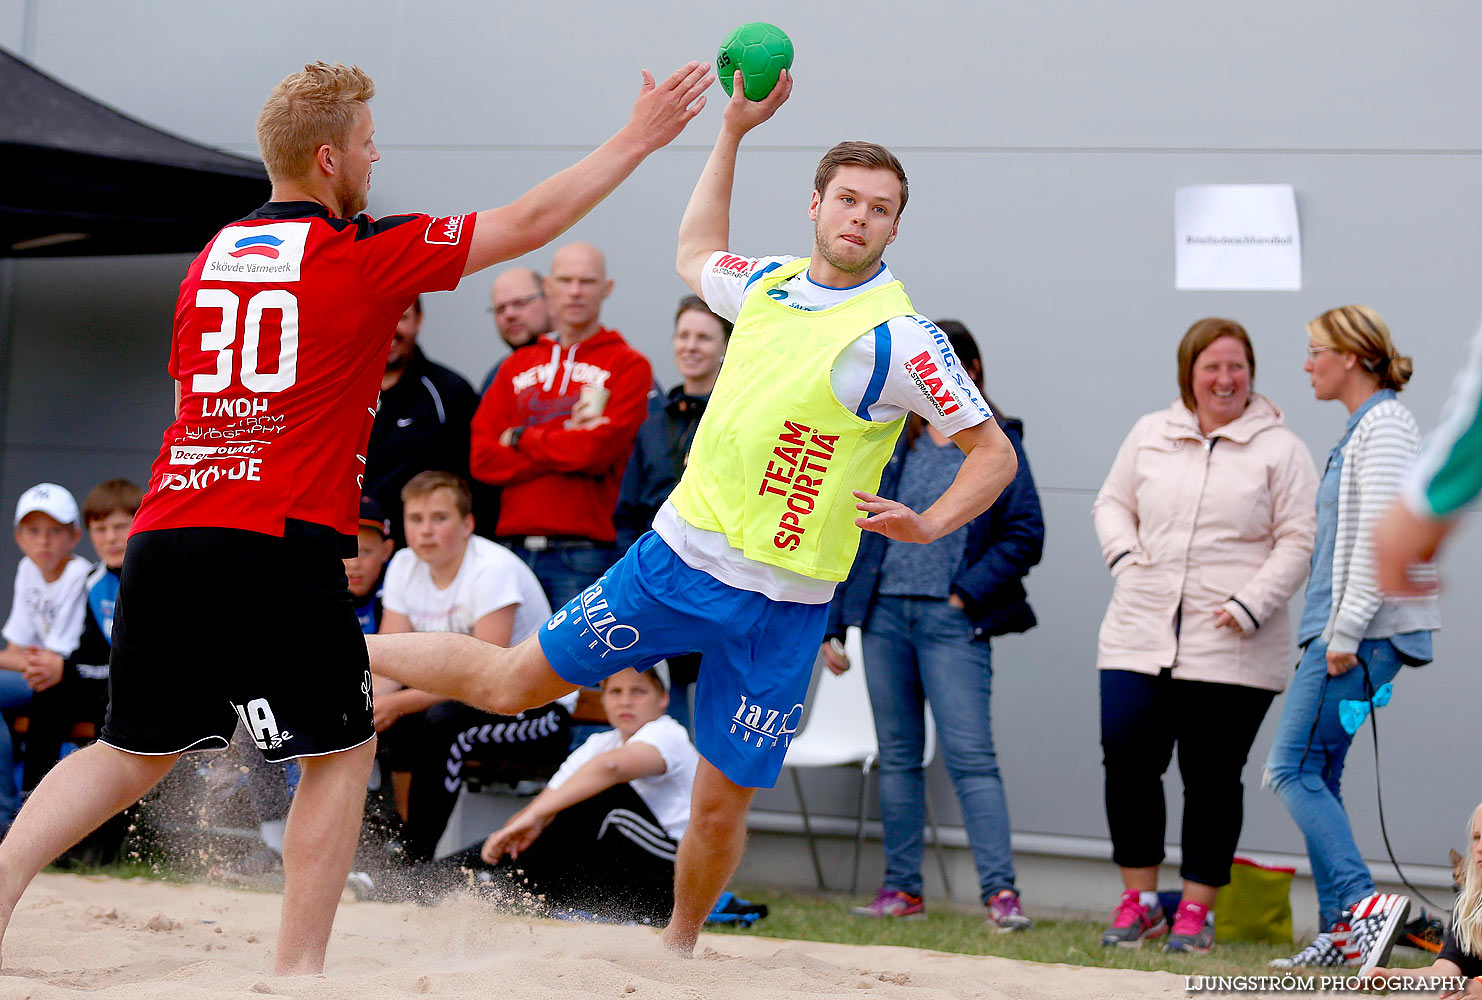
[{"x": 826, "y": 361}]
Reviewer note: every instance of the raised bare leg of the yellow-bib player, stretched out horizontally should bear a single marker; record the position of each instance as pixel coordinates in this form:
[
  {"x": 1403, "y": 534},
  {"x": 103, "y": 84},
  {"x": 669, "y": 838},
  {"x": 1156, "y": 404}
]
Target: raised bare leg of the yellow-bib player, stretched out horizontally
[{"x": 491, "y": 678}]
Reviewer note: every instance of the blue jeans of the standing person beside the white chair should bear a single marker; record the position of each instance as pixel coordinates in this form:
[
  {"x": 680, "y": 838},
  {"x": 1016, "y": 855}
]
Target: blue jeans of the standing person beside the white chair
[{"x": 920, "y": 650}]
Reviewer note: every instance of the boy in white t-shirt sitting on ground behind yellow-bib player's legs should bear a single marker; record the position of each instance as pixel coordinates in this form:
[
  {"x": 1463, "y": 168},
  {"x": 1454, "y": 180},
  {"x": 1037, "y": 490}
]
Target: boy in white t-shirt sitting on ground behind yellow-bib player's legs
[{"x": 602, "y": 838}]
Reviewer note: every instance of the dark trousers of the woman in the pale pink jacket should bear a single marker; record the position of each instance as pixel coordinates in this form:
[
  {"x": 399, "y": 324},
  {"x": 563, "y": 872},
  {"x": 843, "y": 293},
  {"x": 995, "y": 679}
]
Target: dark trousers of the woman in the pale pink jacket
[{"x": 1143, "y": 716}]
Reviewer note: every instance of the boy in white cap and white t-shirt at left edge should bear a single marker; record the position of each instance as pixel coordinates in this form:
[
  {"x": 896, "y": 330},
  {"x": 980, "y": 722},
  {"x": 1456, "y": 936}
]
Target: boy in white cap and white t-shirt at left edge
[{"x": 47, "y": 613}]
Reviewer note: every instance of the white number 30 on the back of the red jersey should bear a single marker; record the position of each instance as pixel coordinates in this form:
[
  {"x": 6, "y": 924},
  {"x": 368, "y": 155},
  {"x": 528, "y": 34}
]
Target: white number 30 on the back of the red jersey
[{"x": 223, "y": 341}]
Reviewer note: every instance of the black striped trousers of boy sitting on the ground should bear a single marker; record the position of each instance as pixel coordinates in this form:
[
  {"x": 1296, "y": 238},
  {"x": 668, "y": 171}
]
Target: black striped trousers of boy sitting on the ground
[{"x": 605, "y": 856}]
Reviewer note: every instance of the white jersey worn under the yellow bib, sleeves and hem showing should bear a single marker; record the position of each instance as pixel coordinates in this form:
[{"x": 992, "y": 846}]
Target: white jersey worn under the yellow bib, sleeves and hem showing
[{"x": 878, "y": 377}]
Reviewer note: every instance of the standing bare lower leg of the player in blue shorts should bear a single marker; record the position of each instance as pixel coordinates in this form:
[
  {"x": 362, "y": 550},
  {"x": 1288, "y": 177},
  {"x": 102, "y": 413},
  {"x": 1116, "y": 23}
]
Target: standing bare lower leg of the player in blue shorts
[{"x": 708, "y": 856}]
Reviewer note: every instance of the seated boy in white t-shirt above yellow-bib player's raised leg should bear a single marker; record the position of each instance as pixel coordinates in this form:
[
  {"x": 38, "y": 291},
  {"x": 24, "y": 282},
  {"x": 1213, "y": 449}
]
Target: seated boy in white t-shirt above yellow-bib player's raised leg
[{"x": 450, "y": 580}]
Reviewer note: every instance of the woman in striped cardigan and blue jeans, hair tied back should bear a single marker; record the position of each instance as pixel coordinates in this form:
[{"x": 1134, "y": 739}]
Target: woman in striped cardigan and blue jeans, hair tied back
[{"x": 1354, "y": 641}]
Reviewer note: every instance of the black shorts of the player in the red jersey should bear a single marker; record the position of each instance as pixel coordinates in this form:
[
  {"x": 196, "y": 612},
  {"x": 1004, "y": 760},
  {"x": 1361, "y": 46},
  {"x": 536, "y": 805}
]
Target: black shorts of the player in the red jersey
[{"x": 217, "y": 626}]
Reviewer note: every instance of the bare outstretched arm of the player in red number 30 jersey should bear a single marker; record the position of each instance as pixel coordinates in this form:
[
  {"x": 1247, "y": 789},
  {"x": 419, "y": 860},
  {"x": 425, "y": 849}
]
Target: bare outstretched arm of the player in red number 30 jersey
[{"x": 555, "y": 205}]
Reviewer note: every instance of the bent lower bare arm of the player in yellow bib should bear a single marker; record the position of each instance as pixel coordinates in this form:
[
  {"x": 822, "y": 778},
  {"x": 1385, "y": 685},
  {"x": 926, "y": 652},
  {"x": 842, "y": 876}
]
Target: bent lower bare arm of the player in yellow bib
[{"x": 988, "y": 469}]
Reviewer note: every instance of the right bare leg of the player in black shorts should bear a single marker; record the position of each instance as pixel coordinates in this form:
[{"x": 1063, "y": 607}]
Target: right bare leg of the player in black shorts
[{"x": 319, "y": 845}]
